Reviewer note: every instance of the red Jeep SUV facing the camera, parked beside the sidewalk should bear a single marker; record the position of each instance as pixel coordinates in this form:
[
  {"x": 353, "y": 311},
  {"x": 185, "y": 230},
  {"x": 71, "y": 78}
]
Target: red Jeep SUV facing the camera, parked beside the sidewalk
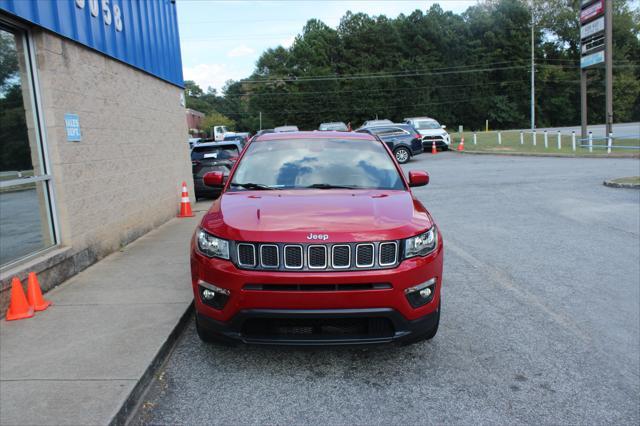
[{"x": 316, "y": 240}]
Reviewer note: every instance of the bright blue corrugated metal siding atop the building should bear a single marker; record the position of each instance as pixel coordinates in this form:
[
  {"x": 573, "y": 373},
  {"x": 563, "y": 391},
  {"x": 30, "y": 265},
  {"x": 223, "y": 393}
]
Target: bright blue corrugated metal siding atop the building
[{"x": 149, "y": 39}]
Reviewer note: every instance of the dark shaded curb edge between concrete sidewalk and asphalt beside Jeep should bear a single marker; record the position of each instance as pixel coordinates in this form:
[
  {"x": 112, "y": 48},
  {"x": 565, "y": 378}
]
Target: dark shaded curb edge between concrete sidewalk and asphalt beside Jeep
[{"x": 131, "y": 404}]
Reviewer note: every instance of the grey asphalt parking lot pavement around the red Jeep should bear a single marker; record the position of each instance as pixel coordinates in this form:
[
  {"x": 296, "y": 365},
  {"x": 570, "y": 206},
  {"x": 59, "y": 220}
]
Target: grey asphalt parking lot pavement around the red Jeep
[{"x": 540, "y": 317}]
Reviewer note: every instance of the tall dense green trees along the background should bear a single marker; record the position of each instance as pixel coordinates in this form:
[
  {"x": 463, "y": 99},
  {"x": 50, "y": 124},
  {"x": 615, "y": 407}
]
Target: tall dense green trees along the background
[{"x": 458, "y": 68}]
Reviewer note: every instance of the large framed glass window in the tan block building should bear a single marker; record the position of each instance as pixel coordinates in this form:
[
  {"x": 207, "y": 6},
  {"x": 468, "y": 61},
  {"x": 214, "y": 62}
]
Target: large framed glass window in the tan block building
[{"x": 26, "y": 220}]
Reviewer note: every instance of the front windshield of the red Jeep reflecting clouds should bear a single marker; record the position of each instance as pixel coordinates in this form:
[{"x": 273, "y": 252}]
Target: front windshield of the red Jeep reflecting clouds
[{"x": 321, "y": 163}]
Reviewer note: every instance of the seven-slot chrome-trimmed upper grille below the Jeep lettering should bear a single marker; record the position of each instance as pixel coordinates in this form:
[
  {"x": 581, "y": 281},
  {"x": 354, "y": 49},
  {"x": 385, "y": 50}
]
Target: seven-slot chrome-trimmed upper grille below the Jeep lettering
[{"x": 316, "y": 257}]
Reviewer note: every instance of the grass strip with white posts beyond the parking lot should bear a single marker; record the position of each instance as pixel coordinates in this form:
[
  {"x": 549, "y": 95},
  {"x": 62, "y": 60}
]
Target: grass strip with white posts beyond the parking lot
[{"x": 510, "y": 141}]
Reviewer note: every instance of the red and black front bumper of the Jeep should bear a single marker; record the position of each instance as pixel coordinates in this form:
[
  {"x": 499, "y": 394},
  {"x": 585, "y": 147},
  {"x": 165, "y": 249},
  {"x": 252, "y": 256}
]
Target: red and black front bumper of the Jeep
[{"x": 247, "y": 300}]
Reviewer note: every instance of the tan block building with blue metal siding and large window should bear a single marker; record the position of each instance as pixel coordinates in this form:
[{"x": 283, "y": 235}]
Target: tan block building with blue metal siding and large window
[{"x": 93, "y": 144}]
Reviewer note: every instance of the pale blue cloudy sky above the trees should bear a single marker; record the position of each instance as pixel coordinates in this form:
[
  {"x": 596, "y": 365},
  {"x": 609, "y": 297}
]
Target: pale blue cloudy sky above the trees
[{"x": 223, "y": 39}]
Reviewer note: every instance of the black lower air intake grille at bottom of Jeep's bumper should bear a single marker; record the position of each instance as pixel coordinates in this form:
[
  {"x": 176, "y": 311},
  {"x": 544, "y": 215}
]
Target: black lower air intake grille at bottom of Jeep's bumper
[{"x": 318, "y": 328}]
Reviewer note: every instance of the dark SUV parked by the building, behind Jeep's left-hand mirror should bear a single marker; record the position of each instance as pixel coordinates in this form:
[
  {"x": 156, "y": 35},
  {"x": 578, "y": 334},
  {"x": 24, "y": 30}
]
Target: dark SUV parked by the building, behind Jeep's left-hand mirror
[{"x": 208, "y": 157}]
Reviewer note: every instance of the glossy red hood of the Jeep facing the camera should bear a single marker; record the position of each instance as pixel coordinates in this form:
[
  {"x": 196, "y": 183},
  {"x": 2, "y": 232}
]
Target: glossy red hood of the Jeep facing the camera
[{"x": 292, "y": 215}]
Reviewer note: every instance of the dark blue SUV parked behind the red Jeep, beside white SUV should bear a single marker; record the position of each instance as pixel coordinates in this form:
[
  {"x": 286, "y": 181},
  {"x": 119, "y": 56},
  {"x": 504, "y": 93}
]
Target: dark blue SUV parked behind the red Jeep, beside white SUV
[{"x": 402, "y": 139}]
